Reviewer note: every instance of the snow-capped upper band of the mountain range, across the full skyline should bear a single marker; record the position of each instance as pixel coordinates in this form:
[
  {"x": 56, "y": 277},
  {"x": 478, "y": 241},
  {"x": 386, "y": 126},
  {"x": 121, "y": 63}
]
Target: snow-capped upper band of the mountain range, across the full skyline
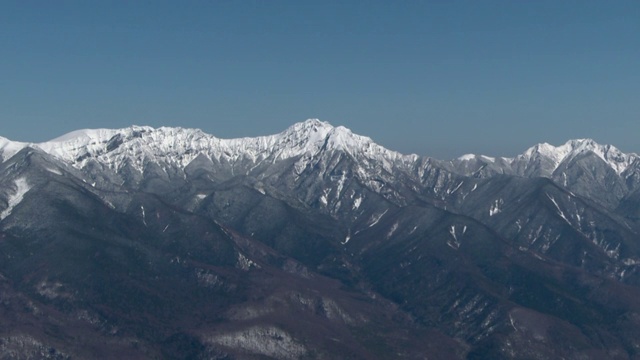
[{"x": 313, "y": 142}]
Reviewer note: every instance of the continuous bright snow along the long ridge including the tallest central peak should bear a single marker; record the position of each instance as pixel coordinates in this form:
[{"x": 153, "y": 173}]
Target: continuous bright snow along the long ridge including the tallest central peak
[{"x": 180, "y": 146}]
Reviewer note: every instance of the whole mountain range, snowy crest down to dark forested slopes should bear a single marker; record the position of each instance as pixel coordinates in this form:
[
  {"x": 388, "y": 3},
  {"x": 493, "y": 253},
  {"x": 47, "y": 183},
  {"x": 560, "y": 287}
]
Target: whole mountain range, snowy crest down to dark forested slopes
[{"x": 315, "y": 243}]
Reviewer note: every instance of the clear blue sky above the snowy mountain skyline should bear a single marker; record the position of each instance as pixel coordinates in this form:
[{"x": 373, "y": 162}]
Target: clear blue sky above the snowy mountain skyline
[{"x": 438, "y": 78}]
